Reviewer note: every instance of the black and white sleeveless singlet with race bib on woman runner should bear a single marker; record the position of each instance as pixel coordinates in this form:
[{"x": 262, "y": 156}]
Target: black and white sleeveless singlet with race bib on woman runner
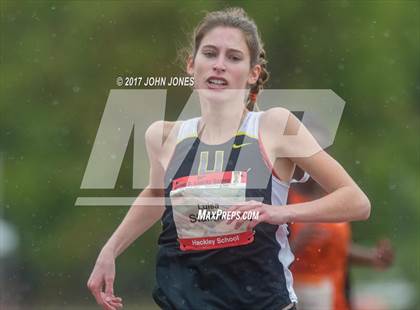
[{"x": 204, "y": 264}]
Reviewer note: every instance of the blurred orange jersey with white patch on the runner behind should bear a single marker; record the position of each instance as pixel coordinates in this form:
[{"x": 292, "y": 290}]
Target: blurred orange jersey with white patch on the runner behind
[{"x": 320, "y": 266}]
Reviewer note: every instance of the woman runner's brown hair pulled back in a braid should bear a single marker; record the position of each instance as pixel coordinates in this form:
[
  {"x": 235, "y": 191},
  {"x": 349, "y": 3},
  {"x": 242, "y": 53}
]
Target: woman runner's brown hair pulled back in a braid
[{"x": 236, "y": 18}]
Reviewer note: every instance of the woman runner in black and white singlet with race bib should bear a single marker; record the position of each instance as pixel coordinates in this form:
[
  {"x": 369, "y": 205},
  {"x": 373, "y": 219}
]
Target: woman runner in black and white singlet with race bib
[{"x": 235, "y": 153}]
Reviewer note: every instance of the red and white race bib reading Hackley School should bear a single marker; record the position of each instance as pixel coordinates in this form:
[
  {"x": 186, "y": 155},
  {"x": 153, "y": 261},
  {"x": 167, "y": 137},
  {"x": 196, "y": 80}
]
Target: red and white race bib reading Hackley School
[{"x": 201, "y": 205}]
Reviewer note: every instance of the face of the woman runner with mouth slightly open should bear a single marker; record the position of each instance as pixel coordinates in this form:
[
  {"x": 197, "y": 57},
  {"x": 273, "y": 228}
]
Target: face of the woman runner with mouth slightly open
[{"x": 223, "y": 61}]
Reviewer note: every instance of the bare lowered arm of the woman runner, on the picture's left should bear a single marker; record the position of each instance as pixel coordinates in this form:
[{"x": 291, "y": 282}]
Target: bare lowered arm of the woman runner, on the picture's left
[{"x": 139, "y": 218}]
